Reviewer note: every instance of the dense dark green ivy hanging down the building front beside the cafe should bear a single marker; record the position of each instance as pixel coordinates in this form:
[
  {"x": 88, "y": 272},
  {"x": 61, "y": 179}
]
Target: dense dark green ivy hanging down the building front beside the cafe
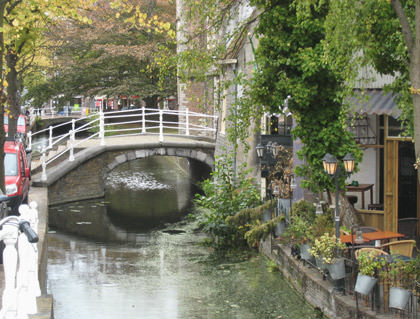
[{"x": 291, "y": 62}]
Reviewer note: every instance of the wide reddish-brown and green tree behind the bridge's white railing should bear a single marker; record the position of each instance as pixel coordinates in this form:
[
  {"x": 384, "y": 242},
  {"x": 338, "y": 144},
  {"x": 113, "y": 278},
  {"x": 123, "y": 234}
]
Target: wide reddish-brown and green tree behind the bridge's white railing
[{"x": 119, "y": 53}]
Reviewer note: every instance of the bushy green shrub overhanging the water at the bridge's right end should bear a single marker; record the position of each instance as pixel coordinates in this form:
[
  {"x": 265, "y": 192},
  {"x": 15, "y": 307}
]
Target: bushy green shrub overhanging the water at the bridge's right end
[{"x": 225, "y": 194}]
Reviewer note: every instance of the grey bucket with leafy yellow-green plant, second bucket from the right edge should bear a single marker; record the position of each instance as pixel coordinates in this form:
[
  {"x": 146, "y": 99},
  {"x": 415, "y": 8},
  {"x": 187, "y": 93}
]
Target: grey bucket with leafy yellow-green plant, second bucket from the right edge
[{"x": 369, "y": 266}]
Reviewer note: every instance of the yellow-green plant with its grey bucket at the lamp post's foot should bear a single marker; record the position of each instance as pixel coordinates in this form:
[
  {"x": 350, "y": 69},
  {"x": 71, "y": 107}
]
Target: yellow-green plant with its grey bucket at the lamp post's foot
[{"x": 330, "y": 250}]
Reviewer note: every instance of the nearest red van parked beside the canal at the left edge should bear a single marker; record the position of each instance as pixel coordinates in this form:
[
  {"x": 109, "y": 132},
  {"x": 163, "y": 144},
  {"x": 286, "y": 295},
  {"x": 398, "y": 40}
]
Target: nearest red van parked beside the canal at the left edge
[{"x": 17, "y": 173}]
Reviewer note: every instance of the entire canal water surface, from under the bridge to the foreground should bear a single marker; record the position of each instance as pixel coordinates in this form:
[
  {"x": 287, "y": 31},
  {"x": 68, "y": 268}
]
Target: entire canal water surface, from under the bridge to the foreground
[{"x": 112, "y": 259}]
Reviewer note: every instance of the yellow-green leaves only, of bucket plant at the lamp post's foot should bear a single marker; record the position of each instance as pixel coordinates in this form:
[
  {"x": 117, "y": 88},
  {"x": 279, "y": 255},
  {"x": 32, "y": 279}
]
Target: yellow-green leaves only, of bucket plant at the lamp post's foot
[{"x": 327, "y": 248}]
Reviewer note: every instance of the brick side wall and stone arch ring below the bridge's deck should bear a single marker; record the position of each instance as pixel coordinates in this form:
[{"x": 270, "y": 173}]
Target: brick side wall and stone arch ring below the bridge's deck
[{"x": 85, "y": 177}]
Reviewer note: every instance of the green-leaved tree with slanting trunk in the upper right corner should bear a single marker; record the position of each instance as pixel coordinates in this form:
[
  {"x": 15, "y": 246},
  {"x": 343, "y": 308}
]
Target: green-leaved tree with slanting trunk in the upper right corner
[{"x": 385, "y": 35}]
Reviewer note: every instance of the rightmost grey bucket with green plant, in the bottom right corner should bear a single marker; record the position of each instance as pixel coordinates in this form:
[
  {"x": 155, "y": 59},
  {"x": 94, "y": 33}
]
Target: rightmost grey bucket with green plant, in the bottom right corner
[{"x": 401, "y": 275}]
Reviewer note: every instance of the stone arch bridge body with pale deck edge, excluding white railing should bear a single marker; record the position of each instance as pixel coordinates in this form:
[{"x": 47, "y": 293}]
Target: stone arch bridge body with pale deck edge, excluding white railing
[{"x": 84, "y": 177}]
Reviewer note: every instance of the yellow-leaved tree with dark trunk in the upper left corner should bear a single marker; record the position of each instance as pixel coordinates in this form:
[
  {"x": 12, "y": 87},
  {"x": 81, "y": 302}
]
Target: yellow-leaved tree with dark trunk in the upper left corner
[{"x": 22, "y": 22}]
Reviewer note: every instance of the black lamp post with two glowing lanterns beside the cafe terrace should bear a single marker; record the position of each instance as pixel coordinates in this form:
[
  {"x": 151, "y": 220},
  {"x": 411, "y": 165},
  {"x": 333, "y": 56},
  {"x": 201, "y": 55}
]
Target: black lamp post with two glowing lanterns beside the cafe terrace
[{"x": 333, "y": 169}]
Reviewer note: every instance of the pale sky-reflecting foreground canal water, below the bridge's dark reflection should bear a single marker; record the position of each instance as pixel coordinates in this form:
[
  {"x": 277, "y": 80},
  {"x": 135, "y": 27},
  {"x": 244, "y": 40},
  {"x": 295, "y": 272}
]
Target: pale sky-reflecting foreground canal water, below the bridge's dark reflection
[{"x": 166, "y": 276}]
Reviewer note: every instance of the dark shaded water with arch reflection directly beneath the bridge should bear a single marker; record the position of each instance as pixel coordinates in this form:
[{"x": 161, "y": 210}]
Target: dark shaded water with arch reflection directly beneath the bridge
[{"x": 140, "y": 195}]
